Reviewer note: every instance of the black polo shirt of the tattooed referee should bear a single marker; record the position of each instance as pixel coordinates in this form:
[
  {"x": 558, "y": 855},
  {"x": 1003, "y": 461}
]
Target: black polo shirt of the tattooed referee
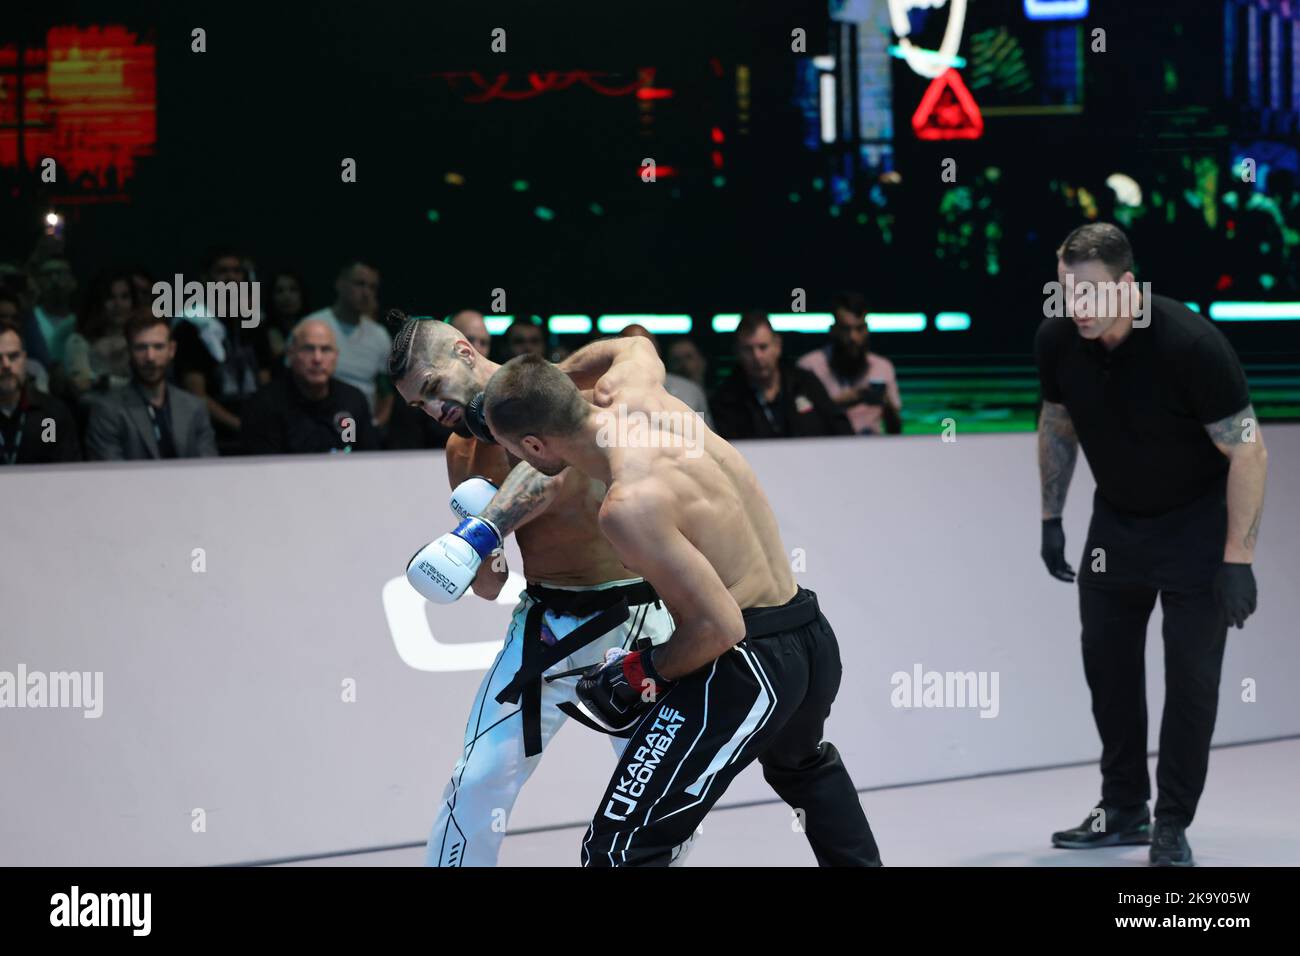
[{"x": 1141, "y": 413}]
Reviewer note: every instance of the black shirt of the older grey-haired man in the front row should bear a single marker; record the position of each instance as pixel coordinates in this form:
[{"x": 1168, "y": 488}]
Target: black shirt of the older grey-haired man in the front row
[{"x": 280, "y": 419}]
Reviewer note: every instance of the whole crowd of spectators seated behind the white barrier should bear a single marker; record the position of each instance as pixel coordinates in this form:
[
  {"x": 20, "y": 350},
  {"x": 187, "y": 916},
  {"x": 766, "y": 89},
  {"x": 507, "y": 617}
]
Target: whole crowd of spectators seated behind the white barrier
[{"x": 103, "y": 377}]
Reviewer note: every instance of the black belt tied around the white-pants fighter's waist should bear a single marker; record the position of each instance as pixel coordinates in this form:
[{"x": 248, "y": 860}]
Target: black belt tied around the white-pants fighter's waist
[{"x": 610, "y": 607}]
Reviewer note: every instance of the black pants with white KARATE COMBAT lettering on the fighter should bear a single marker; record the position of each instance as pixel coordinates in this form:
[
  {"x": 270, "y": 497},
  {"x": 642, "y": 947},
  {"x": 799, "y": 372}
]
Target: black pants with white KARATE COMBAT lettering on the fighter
[{"x": 766, "y": 699}]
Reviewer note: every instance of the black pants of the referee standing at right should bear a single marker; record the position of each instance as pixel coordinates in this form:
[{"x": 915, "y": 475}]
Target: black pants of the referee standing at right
[{"x": 1115, "y": 639}]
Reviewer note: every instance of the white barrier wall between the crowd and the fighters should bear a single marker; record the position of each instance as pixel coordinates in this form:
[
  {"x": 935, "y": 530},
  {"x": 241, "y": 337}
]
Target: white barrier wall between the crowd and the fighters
[{"x": 226, "y": 689}]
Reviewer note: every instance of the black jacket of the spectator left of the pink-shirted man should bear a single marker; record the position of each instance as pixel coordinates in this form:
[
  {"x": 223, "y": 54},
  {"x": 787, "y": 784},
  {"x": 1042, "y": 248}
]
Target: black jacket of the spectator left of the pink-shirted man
[{"x": 801, "y": 410}]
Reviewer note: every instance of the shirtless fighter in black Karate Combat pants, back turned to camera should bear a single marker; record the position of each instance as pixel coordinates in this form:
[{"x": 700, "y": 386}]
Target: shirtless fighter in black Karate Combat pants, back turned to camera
[{"x": 753, "y": 667}]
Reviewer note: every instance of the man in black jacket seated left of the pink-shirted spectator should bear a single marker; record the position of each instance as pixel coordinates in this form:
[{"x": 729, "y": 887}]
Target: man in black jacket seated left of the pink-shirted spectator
[{"x": 768, "y": 400}]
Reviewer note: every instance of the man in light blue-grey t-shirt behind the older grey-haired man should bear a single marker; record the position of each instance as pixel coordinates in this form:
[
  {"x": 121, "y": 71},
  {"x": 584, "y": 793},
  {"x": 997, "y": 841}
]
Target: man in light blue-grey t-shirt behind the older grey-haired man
[{"x": 363, "y": 344}]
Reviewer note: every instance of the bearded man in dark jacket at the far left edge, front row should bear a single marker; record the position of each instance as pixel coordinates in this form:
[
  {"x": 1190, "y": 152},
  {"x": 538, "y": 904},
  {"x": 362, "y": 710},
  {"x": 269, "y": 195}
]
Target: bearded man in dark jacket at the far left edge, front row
[{"x": 34, "y": 427}]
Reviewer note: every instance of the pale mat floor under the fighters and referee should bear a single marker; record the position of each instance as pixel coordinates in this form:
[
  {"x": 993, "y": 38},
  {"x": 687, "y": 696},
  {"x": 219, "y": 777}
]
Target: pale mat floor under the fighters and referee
[{"x": 1250, "y": 816}]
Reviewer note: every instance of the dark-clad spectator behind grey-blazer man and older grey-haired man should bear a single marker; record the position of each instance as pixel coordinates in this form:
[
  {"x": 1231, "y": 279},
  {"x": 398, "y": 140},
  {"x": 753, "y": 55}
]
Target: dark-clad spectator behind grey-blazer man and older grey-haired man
[{"x": 216, "y": 358}]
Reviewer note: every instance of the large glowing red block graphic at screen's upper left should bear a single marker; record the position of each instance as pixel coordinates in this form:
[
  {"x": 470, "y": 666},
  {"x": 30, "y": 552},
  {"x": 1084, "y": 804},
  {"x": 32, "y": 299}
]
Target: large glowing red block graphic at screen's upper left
[{"x": 89, "y": 100}]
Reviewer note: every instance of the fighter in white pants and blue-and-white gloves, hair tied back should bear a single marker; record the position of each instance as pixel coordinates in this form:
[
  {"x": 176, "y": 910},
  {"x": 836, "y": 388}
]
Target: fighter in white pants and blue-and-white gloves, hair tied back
[{"x": 580, "y": 599}]
